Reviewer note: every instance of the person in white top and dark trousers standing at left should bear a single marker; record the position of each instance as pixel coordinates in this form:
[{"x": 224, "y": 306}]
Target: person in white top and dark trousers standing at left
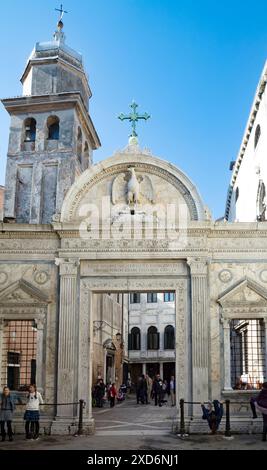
[{"x": 32, "y": 413}]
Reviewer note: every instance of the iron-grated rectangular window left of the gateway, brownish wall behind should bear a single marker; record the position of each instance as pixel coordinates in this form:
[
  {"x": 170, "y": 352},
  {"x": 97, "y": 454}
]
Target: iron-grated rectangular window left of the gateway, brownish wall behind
[{"x": 19, "y": 354}]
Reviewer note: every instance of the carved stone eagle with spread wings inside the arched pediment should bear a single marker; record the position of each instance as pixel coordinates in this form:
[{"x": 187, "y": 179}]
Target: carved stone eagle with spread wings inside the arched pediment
[{"x": 132, "y": 189}]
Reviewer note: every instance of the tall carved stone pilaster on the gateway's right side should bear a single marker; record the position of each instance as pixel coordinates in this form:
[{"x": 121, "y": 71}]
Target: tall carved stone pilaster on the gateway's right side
[{"x": 200, "y": 329}]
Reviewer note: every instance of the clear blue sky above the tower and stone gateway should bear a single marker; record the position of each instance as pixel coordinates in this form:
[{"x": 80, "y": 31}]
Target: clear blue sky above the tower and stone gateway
[{"x": 192, "y": 64}]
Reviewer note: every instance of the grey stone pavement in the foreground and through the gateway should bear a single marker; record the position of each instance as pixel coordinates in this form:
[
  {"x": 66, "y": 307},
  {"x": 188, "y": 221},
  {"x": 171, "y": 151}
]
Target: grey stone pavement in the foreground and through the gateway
[{"x": 136, "y": 427}]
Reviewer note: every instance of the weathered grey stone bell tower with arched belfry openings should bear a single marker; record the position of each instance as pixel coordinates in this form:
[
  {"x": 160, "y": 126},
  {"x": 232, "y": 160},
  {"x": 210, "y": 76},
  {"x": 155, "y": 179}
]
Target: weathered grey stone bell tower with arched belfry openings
[{"x": 52, "y": 136}]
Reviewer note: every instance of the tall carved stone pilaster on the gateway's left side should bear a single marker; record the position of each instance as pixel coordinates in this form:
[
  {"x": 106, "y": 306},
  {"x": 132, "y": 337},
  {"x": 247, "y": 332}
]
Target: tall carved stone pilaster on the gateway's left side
[{"x": 68, "y": 339}]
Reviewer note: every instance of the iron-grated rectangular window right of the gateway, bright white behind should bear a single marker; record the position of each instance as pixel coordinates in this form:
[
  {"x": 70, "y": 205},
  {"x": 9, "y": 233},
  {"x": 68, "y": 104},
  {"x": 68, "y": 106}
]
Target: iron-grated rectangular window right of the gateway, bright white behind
[{"x": 247, "y": 340}]
